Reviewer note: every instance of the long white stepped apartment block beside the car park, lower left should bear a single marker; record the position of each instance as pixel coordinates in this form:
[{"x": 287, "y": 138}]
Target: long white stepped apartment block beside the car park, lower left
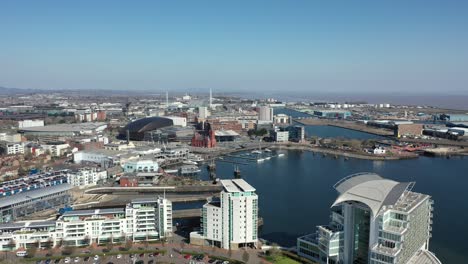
[{"x": 149, "y": 219}]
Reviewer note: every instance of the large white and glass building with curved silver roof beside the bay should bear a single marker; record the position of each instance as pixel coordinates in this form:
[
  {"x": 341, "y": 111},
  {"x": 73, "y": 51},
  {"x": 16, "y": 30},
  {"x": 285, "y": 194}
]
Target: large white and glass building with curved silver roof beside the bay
[{"x": 374, "y": 220}]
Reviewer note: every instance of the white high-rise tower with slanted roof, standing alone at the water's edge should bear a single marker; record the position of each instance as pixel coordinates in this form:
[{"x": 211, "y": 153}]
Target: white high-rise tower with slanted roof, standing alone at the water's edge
[{"x": 230, "y": 222}]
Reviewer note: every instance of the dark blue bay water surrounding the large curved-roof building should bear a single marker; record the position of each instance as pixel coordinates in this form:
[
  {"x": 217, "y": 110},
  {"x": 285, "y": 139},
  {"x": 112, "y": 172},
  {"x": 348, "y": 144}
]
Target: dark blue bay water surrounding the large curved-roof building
[{"x": 296, "y": 194}]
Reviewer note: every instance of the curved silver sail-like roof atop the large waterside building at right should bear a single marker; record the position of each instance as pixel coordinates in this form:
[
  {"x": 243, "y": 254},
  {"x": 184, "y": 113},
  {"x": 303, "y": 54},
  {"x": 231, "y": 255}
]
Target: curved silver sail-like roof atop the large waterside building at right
[{"x": 371, "y": 190}]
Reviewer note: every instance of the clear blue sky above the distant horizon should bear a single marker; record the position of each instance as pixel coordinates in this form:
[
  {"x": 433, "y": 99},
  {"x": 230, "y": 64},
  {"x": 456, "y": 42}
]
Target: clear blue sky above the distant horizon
[{"x": 296, "y": 45}]
